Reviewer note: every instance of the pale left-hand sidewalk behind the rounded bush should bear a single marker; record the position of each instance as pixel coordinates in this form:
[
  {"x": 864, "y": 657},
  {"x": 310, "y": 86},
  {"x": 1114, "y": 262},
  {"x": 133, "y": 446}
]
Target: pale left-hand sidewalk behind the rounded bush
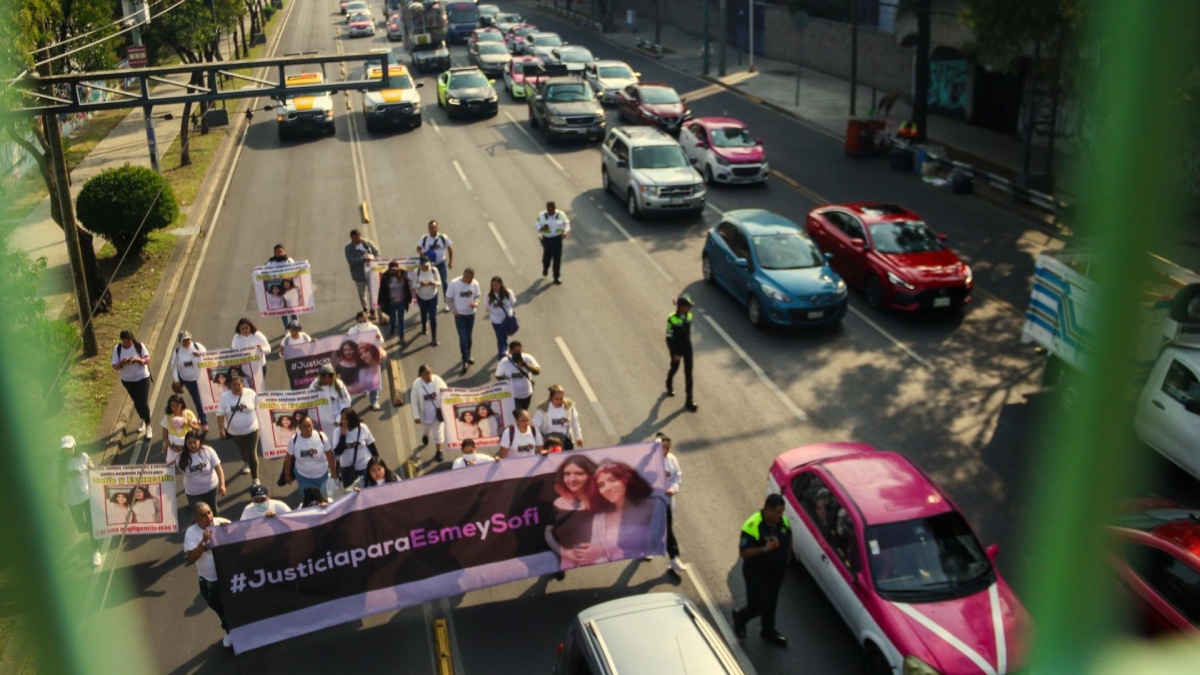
[{"x": 39, "y": 235}]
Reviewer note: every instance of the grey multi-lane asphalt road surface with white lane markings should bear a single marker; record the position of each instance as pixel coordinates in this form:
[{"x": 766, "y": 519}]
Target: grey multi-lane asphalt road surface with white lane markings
[{"x": 947, "y": 391}]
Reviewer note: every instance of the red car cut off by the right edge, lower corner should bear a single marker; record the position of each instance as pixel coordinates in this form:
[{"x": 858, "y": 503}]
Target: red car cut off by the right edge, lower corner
[{"x": 1159, "y": 565}]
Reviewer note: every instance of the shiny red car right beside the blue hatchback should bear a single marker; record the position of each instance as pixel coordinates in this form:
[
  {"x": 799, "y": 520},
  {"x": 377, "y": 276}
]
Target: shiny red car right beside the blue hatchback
[{"x": 891, "y": 254}]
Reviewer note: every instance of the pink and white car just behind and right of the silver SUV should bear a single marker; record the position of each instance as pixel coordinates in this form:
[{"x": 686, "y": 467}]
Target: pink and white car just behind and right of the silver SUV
[{"x": 724, "y": 151}]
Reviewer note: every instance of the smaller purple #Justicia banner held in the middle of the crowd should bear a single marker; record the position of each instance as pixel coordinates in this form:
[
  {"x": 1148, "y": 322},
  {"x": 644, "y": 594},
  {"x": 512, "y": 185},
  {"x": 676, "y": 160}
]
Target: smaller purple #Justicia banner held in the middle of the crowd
[{"x": 356, "y": 359}]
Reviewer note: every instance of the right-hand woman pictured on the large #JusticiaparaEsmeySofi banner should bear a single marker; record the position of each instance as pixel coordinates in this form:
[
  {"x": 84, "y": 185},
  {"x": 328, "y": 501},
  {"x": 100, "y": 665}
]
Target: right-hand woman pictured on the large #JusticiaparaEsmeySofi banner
[{"x": 629, "y": 512}]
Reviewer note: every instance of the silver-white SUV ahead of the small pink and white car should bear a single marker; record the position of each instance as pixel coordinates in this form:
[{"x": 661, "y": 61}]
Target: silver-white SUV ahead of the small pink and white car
[{"x": 651, "y": 172}]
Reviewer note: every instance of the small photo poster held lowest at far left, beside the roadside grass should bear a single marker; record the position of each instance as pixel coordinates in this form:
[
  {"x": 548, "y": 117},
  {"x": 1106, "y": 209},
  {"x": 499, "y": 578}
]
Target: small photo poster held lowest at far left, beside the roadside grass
[{"x": 134, "y": 500}]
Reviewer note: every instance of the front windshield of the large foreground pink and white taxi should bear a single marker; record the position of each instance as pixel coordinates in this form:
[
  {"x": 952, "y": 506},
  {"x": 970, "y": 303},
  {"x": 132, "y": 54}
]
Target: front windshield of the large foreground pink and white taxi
[{"x": 928, "y": 559}]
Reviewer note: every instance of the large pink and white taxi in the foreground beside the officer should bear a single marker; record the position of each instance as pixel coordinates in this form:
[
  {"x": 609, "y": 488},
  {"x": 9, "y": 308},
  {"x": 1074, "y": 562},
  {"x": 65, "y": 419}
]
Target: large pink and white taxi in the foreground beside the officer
[{"x": 899, "y": 563}]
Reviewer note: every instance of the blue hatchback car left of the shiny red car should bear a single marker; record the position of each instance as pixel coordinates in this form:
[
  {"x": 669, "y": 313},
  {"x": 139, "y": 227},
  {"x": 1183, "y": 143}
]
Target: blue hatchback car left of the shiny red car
[{"x": 769, "y": 264}]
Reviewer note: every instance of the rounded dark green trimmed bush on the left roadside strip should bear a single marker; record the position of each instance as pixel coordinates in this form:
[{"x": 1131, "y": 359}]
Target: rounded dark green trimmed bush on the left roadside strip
[{"x": 125, "y": 205}]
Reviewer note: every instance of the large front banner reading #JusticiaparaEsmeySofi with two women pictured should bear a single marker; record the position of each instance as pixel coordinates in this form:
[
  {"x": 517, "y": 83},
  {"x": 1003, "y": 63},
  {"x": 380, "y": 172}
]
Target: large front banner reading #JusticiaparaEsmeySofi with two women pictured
[{"x": 437, "y": 536}]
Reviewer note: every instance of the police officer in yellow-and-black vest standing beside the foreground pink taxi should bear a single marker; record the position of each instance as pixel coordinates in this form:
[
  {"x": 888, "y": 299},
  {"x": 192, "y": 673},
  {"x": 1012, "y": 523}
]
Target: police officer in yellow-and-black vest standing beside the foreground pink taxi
[{"x": 766, "y": 549}]
